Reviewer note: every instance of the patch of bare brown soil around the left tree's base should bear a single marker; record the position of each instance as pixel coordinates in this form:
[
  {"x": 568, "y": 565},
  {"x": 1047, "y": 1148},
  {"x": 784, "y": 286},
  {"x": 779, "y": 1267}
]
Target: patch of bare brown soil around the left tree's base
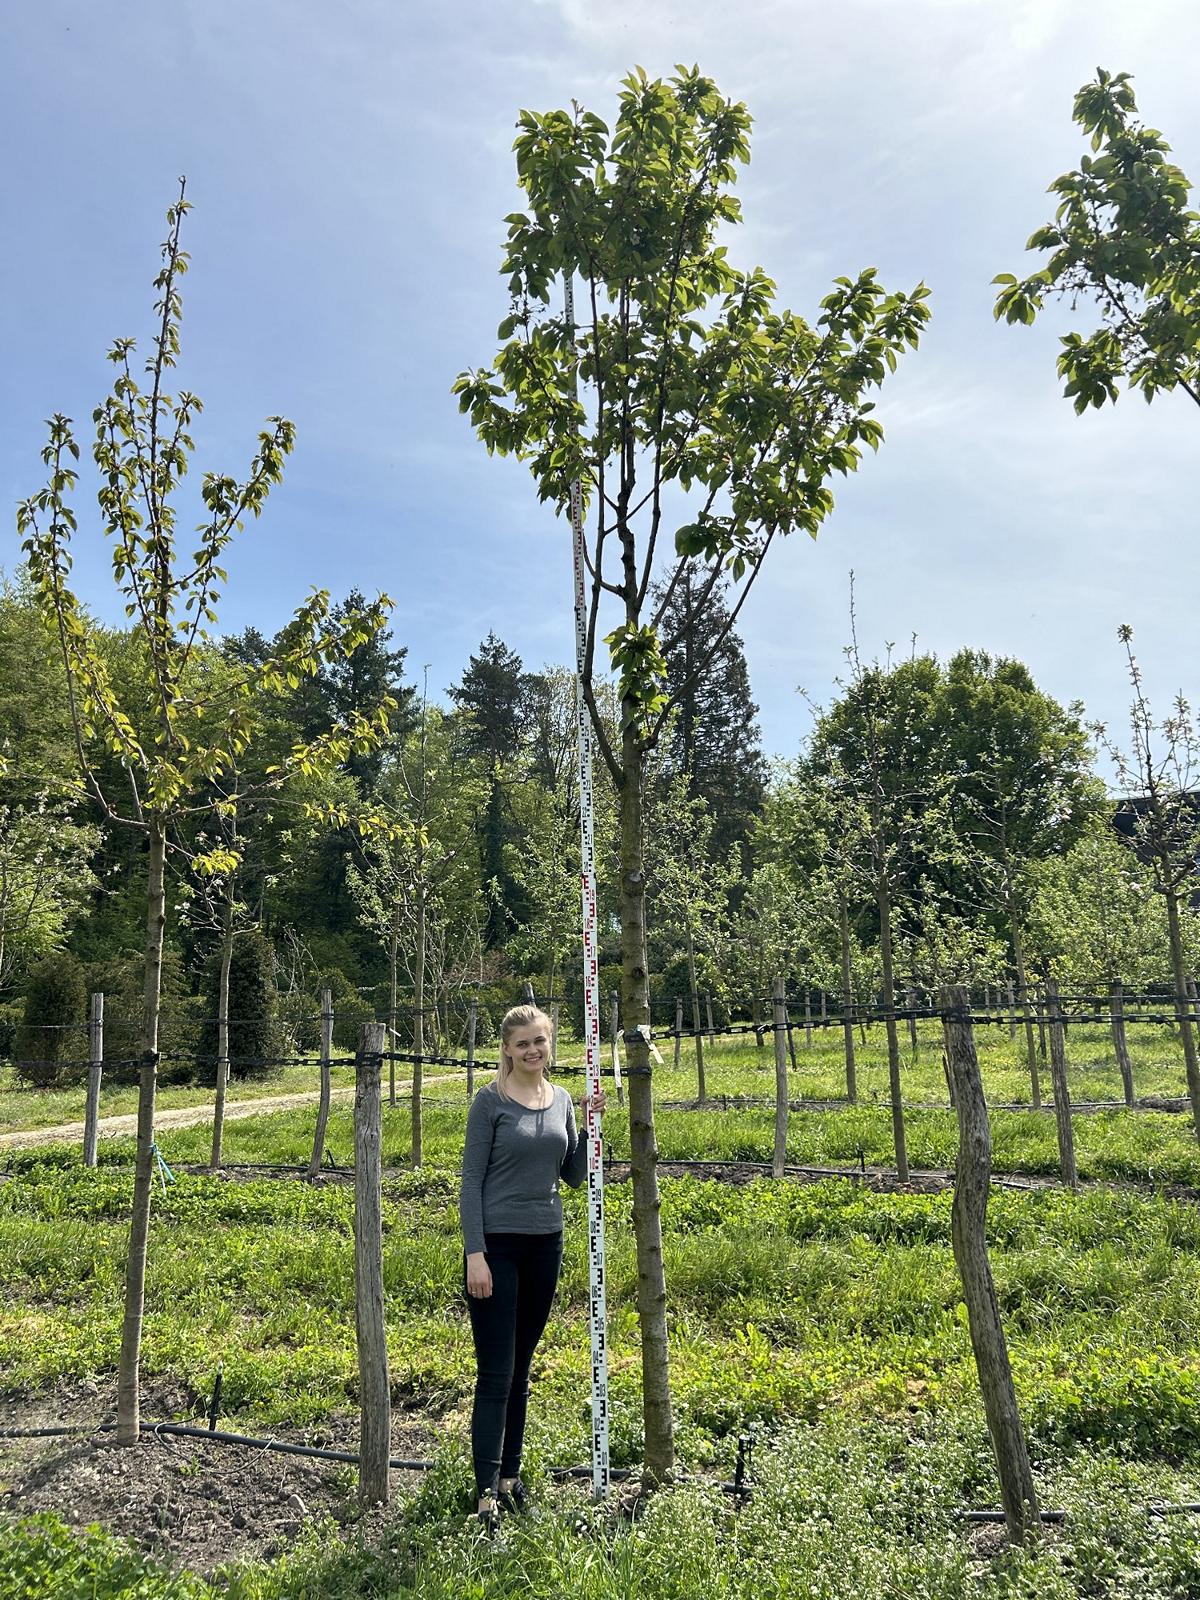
[{"x": 190, "y": 1502}]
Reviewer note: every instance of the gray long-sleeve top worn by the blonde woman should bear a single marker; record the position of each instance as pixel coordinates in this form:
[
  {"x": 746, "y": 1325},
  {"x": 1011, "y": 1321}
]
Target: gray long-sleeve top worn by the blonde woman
[{"x": 513, "y": 1162}]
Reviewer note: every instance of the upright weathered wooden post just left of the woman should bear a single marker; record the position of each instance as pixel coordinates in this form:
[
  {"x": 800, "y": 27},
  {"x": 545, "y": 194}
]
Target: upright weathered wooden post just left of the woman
[{"x": 375, "y": 1391}]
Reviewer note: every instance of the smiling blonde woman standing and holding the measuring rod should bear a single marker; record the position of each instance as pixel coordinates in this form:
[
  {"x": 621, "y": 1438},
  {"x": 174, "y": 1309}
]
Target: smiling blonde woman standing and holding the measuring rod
[{"x": 522, "y": 1142}]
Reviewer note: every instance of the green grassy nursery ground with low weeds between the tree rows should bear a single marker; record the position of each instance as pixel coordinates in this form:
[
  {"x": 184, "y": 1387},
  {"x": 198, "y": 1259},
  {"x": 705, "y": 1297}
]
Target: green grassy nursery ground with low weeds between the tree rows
[{"x": 822, "y": 1316}]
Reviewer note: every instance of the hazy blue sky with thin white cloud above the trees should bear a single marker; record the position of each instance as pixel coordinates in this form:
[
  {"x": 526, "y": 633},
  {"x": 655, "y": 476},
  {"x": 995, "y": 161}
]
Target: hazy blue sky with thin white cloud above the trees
[{"x": 351, "y": 166}]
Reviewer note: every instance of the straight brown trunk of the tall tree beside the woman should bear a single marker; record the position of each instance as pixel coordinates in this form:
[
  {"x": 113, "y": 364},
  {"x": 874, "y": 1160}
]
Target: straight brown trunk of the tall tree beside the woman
[{"x": 652, "y": 1286}]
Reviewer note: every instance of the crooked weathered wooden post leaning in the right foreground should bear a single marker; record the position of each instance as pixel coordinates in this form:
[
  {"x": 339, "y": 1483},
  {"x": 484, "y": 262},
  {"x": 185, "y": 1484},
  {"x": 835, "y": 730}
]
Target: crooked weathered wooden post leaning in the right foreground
[{"x": 969, "y": 1228}]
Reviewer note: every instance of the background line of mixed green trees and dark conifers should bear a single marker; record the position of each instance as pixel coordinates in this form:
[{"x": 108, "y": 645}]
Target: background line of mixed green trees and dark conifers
[{"x": 942, "y": 822}]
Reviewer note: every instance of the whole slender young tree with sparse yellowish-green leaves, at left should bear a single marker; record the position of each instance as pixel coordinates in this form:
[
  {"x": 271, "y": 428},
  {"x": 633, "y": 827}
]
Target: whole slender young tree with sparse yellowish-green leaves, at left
[{"x": 172, "y": 743}]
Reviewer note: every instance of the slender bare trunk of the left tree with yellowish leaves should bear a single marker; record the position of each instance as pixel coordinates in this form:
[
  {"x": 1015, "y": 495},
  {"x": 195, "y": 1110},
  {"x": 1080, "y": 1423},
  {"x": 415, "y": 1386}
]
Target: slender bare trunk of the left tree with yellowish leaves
[{"x": 129, "y": 1369}]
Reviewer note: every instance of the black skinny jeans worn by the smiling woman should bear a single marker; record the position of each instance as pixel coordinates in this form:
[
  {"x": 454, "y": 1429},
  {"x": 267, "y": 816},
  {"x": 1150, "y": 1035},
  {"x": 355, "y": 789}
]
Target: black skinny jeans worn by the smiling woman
[{"x": 506, "y": 1327}]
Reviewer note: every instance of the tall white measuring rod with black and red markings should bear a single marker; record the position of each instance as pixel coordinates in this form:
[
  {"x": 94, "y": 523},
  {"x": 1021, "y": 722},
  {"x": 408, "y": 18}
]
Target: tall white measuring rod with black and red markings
[{"x": 596, "y": 1159}]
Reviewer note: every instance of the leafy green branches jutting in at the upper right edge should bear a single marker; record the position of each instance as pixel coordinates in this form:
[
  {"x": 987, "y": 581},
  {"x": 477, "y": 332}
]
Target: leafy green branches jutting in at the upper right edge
[{"x": 1127, "y": 241}]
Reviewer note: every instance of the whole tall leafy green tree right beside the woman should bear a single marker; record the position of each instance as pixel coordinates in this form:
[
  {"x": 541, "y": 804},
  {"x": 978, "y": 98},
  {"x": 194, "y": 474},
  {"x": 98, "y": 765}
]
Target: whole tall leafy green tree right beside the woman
[{"x": 705, "y": 407}]
